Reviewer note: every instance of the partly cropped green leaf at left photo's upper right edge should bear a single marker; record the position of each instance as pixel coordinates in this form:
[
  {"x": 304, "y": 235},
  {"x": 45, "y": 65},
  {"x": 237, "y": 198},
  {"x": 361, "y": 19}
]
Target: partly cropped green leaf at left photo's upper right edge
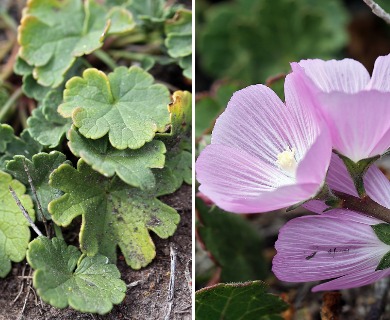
[{"x": 179, "y": 38}]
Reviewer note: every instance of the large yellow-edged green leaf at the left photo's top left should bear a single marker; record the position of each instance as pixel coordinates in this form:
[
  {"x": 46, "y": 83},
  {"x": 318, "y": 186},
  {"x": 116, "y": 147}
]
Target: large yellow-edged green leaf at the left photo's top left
[{"x": 53, "y": 33}]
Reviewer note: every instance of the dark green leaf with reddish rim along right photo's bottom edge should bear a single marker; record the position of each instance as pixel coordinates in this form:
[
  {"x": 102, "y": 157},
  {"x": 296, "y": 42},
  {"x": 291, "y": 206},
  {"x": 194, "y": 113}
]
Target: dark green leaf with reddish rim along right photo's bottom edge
[{"x": 244, "y": 301}]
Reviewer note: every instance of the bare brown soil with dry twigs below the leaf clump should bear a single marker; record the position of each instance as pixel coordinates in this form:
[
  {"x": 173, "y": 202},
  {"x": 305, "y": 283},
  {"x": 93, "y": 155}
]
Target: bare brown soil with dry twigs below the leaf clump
[{"x": 147, "y": 293}]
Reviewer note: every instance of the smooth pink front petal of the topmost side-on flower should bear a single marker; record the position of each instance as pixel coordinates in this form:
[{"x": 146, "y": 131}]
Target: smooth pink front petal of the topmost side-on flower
[{"x": 359, "y": 123}]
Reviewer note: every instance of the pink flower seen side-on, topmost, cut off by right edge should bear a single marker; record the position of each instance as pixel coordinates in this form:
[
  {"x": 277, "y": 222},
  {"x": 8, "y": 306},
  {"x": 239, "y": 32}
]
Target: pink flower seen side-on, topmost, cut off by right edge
[{"x": 355, "y": 107}]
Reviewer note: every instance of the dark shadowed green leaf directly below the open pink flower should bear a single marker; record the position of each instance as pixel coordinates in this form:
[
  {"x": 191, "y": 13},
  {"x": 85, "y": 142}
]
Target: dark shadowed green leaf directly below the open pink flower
[{"x": 226, "y": 235}]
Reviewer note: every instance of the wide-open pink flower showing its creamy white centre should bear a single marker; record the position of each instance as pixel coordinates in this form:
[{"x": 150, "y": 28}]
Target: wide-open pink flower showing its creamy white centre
[{"x": 265, "y": 155}]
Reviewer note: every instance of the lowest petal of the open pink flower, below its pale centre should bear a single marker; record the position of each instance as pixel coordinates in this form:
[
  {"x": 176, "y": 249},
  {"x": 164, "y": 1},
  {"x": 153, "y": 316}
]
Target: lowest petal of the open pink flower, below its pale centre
[{"x": 238, "y": 182}]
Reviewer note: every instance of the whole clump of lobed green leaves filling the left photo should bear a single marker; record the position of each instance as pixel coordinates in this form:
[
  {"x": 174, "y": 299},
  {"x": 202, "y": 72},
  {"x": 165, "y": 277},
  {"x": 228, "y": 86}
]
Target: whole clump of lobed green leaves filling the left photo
[{"x": 128, "y": 136}]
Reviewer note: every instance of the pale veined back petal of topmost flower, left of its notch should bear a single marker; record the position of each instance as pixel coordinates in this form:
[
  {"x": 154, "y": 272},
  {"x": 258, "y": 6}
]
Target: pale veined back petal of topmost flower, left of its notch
[{"x": 347, "y": 75}]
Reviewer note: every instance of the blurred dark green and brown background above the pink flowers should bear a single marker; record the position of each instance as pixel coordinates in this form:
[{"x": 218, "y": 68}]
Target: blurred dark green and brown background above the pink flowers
[{"x": 249, "y": 41}]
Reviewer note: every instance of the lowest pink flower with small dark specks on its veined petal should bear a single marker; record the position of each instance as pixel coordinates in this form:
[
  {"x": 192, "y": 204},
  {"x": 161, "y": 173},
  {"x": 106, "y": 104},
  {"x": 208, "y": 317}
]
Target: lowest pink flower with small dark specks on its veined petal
[{"x": 340, "y": 244}]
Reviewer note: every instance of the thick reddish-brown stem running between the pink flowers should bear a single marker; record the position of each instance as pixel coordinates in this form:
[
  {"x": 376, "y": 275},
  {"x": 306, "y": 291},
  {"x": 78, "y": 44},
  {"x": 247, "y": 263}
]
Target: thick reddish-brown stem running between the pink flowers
[{"x": 364, "y": 205}]
